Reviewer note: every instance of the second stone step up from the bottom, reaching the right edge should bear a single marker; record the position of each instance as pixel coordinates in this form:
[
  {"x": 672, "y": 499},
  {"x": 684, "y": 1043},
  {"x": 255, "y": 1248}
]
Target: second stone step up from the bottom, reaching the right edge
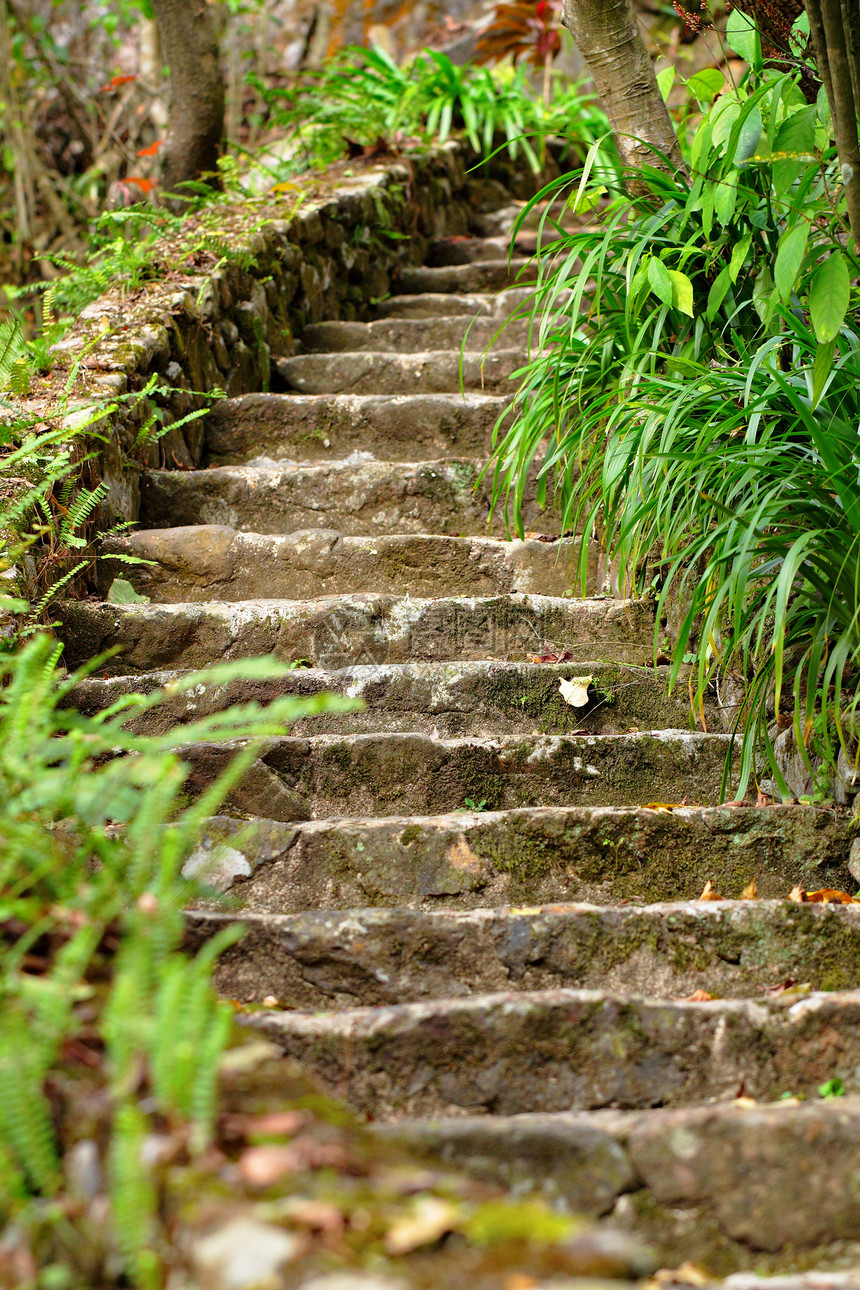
[{"x": 514, "y": 1052}]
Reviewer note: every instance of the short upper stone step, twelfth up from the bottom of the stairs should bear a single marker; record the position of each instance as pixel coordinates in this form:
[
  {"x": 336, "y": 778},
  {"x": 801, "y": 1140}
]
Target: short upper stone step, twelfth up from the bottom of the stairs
[{"x": 416, "y": 336}]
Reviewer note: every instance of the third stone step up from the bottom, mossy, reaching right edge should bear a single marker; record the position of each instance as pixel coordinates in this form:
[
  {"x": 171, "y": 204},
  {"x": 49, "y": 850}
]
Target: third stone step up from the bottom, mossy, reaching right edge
[{"x": 375, "y": 957}]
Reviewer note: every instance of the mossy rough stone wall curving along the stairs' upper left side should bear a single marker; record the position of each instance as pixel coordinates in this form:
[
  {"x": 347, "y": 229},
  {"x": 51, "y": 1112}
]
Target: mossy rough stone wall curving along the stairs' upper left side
[{"x": 219, "y": 318}]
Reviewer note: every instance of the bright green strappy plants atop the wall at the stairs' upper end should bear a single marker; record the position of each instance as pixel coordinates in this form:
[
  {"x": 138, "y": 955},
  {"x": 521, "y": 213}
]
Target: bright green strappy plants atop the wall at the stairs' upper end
[{"x": 364, "y": 96}]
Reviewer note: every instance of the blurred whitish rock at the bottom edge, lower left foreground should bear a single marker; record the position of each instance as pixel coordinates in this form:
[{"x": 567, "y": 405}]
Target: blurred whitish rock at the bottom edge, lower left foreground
[{"x": 244, "y": 1255}]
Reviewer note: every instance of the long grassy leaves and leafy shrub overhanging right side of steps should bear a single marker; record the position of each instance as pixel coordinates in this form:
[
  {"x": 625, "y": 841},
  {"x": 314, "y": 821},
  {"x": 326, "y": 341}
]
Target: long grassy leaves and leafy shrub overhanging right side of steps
[{"x": 694, "y": 399}]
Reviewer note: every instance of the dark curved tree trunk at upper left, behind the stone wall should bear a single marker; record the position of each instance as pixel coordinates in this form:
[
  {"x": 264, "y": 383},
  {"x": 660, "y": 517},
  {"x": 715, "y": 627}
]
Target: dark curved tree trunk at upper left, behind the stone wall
[{"x": 197, "y": 113}]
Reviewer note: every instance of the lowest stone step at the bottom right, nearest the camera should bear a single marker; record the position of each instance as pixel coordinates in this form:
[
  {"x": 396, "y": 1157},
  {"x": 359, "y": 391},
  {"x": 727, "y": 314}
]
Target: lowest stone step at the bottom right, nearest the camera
[{"x": 702, "y": 1185}]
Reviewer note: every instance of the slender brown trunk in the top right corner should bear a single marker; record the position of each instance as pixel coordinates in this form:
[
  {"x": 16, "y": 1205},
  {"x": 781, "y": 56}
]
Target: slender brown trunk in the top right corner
[{"x": 834, "y": 28}]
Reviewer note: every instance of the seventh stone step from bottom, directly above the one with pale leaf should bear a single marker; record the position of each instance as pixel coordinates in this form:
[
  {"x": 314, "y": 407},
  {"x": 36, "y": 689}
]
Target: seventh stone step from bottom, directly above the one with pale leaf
[{"x": 340, "y": 631}]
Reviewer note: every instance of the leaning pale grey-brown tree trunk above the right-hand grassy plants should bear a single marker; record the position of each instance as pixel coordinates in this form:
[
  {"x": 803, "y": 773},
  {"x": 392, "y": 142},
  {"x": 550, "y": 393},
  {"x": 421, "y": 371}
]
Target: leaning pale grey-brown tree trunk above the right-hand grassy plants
[{"x": 608, "y": 37}]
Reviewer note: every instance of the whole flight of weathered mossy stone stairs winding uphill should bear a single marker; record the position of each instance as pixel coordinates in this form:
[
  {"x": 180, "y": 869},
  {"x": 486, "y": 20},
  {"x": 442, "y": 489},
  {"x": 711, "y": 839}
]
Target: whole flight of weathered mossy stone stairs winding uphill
[{"x": 475, "y": 905}]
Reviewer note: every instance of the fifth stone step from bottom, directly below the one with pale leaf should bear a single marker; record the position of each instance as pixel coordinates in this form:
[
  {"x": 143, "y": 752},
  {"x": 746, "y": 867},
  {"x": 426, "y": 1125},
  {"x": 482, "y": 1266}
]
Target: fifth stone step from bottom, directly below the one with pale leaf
[{"x": 416, "y": 775}]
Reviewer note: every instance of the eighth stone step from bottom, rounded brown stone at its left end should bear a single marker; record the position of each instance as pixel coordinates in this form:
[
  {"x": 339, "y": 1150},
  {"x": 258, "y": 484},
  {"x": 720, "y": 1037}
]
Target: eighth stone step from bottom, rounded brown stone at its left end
[{"x": 211, "y": 562}]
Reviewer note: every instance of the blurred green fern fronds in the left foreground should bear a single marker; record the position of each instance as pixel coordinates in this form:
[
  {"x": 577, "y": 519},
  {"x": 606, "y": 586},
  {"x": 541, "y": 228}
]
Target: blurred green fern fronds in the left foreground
[{"x": 96, "y": 833}]
